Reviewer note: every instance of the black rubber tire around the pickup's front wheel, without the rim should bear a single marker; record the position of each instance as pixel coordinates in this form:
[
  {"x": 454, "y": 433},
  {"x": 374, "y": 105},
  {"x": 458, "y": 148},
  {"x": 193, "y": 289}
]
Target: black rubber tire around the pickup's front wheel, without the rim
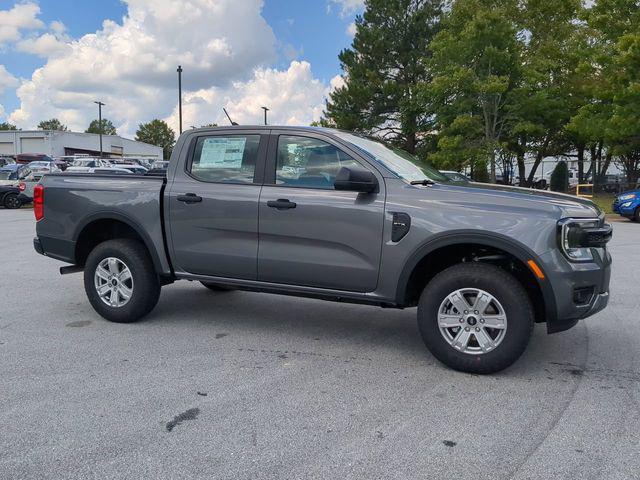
[{"x": 505, "y": 289}]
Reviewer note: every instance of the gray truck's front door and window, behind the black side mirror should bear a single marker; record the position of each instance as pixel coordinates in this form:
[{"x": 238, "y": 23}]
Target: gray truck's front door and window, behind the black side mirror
[{"x": 311, "y": 234}]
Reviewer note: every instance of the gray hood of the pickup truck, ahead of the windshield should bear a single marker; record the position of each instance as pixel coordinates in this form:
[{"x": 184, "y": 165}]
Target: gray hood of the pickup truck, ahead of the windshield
[{"x": 567, "y": 205}]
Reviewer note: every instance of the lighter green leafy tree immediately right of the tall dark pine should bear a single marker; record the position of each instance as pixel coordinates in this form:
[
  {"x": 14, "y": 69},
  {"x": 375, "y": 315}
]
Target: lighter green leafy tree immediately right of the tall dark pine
[{"x": 476, "y": 66}]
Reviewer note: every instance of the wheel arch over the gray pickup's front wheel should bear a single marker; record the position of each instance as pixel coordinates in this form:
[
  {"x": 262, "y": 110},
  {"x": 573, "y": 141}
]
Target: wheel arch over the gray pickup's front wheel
[{"x": 447, "y": 249}]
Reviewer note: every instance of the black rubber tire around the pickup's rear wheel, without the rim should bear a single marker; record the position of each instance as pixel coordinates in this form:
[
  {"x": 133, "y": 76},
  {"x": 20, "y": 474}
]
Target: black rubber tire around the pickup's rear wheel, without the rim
[{"x": 145, "y": 286}]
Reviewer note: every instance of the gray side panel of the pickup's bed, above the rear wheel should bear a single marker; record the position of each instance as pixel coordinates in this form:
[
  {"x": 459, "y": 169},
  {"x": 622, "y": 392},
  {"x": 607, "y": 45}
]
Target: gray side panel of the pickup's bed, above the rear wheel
[{"x": 74, "y": 201}]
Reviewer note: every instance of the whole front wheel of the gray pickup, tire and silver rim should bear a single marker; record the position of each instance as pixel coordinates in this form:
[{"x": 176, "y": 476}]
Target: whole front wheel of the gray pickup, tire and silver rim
[{"x": 475, "y": 318}]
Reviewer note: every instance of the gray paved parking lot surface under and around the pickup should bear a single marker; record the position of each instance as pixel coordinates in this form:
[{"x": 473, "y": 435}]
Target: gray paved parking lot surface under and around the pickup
[{"x": 242, "y": 385}]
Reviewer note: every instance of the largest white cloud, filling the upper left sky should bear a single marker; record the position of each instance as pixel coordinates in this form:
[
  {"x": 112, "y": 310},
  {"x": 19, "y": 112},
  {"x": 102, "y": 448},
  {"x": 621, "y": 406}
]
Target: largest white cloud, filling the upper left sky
[{"x": 132, "y": 66}]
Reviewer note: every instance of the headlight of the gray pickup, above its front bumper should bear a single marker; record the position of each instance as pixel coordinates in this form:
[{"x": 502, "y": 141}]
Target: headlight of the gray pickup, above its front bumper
[{"x": 577, "y": 236}]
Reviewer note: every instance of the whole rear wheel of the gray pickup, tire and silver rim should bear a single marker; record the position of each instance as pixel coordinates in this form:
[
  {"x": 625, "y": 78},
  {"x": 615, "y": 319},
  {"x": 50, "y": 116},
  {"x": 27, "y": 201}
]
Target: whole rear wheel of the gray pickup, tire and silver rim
[{"x": 120, "y": 280}]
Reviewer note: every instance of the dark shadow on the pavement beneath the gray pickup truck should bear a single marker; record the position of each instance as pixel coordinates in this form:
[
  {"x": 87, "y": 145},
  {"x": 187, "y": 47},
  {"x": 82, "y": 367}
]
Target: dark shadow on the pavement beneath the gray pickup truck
[{"x": 367, "y": 331}]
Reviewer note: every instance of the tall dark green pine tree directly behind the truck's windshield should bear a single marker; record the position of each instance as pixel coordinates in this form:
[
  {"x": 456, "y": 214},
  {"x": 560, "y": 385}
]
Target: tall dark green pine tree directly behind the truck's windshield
[{"x": 383, "y": 69}]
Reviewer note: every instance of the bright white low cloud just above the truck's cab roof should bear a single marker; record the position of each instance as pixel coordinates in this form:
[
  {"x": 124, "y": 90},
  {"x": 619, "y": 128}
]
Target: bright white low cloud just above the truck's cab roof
[{"x": 293, "y": 96}]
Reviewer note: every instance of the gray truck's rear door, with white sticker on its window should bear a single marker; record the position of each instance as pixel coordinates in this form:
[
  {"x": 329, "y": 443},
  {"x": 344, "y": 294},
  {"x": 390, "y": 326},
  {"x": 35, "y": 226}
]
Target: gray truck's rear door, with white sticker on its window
[{"x": 213, "y": 204}]
